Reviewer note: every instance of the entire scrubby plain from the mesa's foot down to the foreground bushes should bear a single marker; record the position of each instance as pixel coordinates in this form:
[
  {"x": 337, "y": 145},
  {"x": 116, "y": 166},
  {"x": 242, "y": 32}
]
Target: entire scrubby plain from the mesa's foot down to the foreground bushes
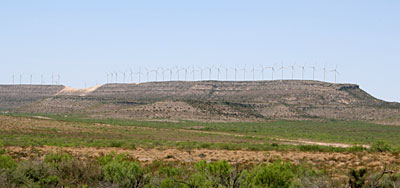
[{"x": 185, "y": 146}]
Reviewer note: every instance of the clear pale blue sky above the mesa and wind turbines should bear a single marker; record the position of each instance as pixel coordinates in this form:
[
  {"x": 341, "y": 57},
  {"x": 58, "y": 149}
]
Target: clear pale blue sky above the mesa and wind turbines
[{"x": 84, "y": 41}]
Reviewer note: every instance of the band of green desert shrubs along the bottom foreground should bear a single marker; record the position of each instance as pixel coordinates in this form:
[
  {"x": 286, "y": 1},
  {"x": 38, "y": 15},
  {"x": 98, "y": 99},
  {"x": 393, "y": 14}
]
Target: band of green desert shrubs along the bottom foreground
[{"x": 118, "y": 170}]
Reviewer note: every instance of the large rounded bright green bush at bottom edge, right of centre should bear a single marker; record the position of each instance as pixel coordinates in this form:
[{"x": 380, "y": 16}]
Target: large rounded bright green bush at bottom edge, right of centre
[{"x": 276, "y": 175}]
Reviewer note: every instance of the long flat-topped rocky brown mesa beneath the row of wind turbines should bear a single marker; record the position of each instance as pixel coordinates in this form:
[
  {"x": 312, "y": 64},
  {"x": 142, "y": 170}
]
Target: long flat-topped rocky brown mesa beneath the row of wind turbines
[{"x": 209, "y": 100}]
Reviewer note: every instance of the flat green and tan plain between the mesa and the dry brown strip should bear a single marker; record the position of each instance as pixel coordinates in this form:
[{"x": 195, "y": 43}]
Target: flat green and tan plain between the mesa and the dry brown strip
[{"x": 78, "y": 131}]
